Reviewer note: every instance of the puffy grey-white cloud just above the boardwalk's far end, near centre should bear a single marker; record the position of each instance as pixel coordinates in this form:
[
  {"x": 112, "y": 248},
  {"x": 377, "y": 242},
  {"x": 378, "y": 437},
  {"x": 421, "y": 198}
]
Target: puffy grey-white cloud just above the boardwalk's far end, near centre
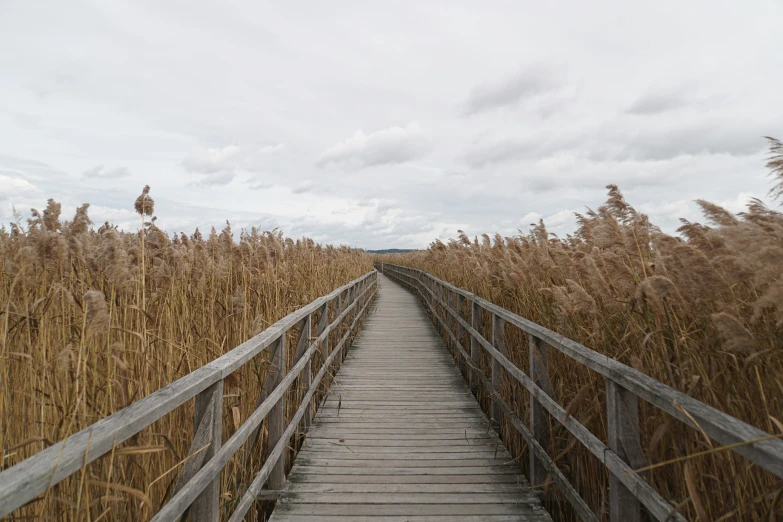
[{"x": 385, "y": 147}]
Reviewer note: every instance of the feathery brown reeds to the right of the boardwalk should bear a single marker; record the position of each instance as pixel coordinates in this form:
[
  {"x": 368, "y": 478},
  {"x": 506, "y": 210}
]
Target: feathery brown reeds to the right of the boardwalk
[{"x": 701, "y": 311}]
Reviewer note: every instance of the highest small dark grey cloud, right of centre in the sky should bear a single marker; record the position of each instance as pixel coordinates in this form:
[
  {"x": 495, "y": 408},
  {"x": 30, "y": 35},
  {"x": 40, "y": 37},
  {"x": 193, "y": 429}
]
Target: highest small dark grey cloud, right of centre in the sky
[{"x": 527, "y": 83}]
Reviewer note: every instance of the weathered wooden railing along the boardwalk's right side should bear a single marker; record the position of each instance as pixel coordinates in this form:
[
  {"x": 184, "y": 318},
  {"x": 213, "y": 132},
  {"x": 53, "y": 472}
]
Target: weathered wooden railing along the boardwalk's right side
[{"x": 622, "y": 453}]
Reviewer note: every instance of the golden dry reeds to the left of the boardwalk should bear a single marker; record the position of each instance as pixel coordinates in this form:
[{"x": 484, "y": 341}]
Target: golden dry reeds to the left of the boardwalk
[{"x": 93, "y": 319}]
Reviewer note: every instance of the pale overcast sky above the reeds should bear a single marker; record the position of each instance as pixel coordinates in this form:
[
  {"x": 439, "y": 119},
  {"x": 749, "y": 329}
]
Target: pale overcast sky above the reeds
[{"x": 385, "y": 124}]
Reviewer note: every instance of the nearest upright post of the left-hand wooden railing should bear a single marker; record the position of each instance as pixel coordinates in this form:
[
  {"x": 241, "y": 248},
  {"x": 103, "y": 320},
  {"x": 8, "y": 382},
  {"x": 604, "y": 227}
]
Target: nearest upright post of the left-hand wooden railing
[{"x": 209, "y": 409}]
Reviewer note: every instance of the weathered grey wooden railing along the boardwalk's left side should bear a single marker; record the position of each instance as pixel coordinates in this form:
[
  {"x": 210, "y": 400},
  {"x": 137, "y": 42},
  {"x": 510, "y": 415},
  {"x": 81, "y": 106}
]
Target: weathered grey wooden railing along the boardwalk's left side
[{"x": 198, "y": 487}]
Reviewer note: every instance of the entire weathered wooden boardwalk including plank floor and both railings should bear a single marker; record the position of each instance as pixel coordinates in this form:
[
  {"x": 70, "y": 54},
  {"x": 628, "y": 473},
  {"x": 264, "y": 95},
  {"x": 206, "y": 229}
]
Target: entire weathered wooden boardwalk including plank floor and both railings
[{"x": 399, "y": 436}]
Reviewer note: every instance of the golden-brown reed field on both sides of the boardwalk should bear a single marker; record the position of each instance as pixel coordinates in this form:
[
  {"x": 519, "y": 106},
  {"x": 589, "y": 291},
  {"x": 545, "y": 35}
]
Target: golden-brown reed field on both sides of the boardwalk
[{"x": 93, "y": 318}]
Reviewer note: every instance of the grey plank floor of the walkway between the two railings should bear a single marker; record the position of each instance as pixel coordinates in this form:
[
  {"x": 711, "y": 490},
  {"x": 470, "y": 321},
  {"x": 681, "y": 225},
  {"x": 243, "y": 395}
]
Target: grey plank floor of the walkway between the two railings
[{"x": 400, "y": 437}]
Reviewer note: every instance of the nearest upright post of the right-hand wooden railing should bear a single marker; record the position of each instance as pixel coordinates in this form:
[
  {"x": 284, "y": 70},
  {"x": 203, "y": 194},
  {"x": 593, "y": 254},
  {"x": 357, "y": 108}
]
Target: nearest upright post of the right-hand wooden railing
[{"x": 623, "y": 428}]
